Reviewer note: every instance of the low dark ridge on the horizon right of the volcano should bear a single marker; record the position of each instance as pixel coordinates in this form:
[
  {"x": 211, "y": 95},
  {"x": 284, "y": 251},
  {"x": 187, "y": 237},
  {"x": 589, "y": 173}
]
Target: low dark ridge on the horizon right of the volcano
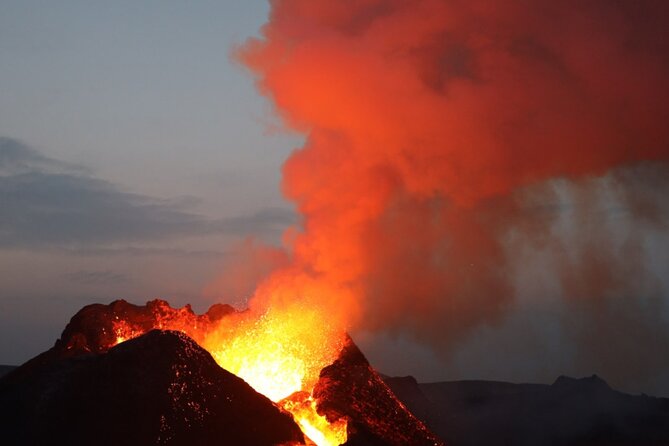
[{"x": 571, "y": 412}]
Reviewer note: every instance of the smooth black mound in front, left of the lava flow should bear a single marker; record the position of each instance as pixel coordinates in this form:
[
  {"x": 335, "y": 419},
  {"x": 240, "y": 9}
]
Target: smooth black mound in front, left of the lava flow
[{"x": 159, "y": 388}]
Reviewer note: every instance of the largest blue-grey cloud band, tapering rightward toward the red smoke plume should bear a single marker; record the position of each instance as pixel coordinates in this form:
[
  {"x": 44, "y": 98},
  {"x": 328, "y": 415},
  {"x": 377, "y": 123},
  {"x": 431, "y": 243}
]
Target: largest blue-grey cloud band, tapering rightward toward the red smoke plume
[{"x": 47, "y": 203}]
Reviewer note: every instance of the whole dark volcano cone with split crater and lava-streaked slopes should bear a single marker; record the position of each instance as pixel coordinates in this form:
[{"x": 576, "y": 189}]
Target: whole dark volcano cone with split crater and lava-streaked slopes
[{"x": 129, "y": 374}]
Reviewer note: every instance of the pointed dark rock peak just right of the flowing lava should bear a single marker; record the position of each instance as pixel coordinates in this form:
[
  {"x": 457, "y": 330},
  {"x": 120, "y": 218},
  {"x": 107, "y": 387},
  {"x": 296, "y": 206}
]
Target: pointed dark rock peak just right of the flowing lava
[{"x": 351, "y": 388}]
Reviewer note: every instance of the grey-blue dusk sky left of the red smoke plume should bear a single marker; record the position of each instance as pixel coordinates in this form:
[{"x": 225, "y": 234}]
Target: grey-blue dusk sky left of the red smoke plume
[{"x": 145, "y": 151}]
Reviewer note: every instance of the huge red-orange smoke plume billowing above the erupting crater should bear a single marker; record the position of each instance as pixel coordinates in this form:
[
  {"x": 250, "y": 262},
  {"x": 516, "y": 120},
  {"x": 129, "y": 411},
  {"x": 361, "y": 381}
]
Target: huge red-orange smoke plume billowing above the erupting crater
[{"x": 427, "y": 122}]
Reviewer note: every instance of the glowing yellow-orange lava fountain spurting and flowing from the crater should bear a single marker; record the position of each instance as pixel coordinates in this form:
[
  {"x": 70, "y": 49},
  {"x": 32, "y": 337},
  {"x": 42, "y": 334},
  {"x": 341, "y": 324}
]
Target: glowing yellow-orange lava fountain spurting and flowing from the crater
[{"x": 280, "y": 353}]
